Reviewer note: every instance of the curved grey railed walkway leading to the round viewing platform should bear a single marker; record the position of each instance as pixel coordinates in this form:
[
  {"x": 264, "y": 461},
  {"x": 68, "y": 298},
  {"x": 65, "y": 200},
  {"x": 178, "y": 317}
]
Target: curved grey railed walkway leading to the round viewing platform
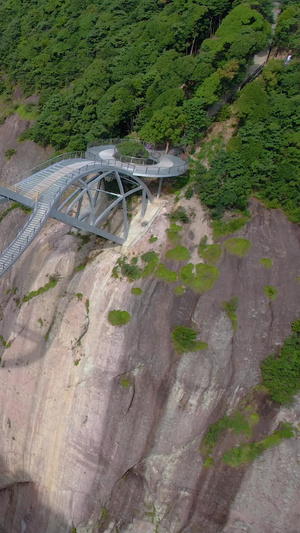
[{"x": 42, "y": 188}]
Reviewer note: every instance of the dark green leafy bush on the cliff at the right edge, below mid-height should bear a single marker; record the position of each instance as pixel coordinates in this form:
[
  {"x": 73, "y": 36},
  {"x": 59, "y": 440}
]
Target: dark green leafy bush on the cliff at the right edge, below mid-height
[{"x": 281, "y": 374}]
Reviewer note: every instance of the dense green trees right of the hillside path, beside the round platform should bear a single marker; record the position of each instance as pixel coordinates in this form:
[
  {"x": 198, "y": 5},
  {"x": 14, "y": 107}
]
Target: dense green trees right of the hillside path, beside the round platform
[{"x": 263, "y": 156}]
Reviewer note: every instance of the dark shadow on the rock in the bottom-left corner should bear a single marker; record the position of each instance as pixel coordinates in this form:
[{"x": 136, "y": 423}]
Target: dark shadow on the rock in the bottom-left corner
[{"x": 22, "y": 509}]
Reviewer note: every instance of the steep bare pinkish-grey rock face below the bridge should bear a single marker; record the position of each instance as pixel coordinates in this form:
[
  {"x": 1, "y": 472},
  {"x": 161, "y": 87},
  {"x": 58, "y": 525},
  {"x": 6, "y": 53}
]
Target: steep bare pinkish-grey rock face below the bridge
[{"x": 101, "y": 456}]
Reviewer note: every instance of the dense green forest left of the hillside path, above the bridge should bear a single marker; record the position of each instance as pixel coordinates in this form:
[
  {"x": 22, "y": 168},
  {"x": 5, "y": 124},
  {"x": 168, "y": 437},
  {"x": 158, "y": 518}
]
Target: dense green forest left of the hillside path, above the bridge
[{"x": 110, "y": 67}]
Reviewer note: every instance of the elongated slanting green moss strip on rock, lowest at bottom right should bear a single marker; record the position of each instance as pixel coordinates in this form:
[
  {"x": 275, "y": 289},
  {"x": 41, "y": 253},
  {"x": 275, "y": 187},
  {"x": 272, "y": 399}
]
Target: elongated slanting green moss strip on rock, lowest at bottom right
[{"x": 246, "y": 453}]
